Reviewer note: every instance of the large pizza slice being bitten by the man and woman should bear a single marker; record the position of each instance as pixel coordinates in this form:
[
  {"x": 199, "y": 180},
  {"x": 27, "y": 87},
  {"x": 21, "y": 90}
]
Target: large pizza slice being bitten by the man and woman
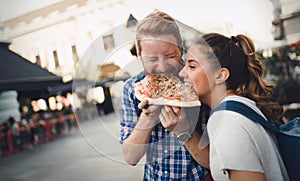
[{"x": 166, "y": 89}]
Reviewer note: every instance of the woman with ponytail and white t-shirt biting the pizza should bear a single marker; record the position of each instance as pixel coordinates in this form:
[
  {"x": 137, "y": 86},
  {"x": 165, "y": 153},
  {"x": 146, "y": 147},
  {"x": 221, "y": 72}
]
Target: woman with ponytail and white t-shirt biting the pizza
[{"x": 221, "y": 69}]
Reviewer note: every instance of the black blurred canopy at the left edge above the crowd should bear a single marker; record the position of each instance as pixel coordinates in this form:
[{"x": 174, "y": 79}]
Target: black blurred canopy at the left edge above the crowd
[{"x": 17, "y": 73}]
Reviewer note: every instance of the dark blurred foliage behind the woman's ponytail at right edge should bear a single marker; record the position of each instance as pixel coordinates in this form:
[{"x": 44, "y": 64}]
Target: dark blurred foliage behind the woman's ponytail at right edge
[{"x": 283, "y": 65}]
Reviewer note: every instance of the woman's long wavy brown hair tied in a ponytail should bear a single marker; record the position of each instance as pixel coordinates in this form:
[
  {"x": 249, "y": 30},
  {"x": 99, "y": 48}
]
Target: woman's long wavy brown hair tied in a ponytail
[{"x": 237, "y": 54}]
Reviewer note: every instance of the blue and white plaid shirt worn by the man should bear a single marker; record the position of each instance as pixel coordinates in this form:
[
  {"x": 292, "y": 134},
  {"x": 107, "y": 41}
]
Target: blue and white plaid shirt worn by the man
[{"x": 166, "y": 158}]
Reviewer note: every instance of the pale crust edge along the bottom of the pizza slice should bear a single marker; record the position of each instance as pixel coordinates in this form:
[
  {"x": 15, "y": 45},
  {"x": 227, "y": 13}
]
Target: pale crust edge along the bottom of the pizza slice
[{"x": 163, "y": 101}]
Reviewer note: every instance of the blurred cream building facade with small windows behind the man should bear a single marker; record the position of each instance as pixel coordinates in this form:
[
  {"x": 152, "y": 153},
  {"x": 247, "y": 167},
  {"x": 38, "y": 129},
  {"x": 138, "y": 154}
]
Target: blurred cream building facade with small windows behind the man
[{"x": 74, "y": 38}]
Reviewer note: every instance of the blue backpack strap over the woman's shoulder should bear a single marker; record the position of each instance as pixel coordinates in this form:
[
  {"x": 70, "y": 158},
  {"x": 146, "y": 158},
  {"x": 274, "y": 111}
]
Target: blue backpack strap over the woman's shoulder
[{"x": 246, "y": 111}]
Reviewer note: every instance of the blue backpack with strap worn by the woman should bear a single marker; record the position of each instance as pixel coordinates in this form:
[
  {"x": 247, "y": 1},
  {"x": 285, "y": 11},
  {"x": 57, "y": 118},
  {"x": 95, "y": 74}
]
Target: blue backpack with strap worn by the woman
[{"x": 288, "y": 135}]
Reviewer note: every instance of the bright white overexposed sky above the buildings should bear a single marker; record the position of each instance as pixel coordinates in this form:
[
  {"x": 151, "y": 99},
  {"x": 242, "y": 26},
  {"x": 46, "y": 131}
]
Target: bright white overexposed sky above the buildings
[{"x": 252, "y": 17}]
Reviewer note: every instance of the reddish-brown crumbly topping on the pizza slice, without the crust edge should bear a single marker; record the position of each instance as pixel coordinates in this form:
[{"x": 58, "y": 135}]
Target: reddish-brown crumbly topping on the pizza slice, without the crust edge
[{"x": 166, "y": 86}]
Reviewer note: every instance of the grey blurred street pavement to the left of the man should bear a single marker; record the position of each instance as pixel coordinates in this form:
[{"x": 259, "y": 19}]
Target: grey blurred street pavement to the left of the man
[{"x": 91, "y": 153}]
